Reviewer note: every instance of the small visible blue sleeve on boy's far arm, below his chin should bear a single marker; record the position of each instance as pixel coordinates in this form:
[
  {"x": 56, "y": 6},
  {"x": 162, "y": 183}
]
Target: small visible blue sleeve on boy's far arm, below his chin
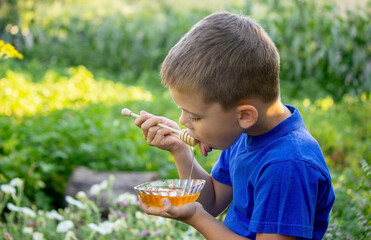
[{"x": 220, "y": 170}]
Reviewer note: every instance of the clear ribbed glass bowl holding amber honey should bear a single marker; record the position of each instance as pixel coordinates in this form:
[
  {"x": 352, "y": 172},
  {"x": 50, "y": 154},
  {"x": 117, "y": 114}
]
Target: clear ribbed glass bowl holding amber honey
[{"x": 178, "y": 191}]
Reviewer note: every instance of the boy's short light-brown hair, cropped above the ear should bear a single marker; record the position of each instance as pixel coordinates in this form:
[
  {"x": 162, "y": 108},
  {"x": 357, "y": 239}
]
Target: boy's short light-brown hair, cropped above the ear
[{"x": 226, "y": 58}]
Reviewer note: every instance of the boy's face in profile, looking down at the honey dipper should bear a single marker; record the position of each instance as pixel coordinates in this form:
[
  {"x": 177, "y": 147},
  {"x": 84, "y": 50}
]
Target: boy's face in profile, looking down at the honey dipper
[{"x": 207, "y": 122}]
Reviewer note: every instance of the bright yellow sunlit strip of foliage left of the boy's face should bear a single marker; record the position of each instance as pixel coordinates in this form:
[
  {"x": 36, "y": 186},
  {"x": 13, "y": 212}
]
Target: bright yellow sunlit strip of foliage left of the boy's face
[{"x": 24, "y": 97}]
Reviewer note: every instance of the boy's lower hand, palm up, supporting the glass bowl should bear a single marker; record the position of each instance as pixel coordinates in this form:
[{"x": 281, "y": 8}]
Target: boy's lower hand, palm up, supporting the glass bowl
[{"x": 181, "y": 213}]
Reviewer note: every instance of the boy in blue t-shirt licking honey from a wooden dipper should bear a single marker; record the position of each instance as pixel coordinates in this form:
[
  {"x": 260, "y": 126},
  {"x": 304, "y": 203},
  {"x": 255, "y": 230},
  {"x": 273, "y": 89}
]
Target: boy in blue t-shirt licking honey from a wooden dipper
[{"x": 224, "y": 76}]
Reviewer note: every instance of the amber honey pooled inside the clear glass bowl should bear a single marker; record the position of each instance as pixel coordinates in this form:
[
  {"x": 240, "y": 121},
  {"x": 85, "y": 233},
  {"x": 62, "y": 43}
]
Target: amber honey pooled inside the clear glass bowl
[{"x": 155, "y": 200}]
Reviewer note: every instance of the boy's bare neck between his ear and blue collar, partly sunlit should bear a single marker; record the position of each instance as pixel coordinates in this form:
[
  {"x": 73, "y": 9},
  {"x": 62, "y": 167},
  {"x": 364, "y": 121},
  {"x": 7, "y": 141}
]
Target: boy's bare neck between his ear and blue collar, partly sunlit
[{"x": 270, "y": 115}]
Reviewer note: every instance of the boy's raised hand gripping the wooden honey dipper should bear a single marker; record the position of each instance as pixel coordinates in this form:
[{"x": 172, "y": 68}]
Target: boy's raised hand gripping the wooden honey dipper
[{"x": 158, "y": 136}]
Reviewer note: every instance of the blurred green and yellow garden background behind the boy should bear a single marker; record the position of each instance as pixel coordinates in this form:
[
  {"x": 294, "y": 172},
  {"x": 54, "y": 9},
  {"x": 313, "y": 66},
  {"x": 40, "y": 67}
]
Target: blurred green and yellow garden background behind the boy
[{"x": 81, "y": 61}]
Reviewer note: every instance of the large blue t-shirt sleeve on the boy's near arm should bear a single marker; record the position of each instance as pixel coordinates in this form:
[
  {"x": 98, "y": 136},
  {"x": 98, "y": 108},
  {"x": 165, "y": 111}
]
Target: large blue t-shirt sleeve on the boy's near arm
[{"x": 285, "y": 199}]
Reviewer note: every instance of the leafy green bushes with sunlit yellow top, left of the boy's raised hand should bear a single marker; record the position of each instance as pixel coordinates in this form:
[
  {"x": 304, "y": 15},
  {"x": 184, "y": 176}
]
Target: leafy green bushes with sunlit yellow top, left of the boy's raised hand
[{"x": 46, "y": 147}]
